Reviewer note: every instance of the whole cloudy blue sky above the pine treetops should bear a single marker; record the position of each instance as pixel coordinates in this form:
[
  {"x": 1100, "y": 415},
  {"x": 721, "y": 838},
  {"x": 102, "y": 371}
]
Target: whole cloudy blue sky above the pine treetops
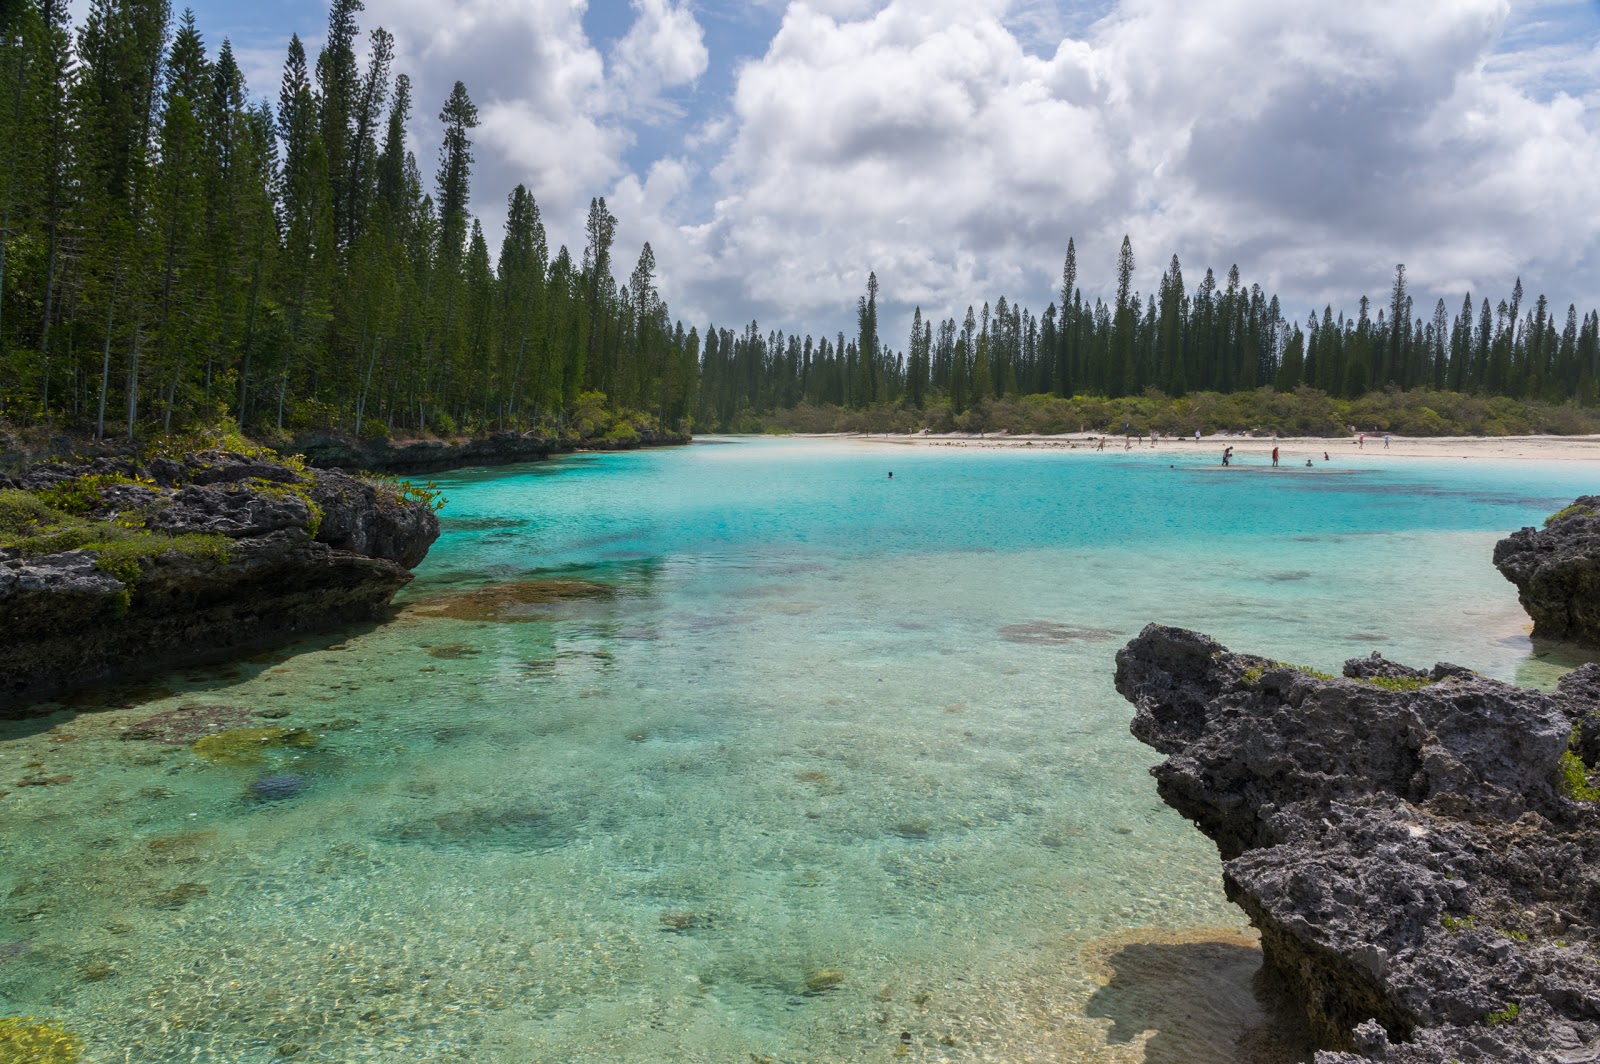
[{"x": 774, "y": 153}]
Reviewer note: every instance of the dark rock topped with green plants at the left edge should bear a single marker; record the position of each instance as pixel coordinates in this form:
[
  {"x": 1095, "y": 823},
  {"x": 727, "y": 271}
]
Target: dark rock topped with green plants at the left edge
[{"x": 178, "y": 561}]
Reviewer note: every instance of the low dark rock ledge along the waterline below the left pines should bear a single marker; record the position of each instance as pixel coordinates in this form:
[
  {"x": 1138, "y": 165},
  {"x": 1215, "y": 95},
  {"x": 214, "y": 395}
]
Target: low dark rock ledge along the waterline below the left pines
[{"x": 327, "y": 450}]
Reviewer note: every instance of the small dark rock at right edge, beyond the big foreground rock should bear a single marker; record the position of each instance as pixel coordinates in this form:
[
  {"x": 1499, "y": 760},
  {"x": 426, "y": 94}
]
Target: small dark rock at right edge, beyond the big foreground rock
[{"x": 1558, "y": 574}]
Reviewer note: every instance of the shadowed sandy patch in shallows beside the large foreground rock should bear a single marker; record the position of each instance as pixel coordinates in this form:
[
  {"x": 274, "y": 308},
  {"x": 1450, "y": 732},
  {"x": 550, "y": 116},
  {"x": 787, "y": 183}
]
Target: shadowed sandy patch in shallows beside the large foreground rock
[{"x": 1198, "y": 1002}]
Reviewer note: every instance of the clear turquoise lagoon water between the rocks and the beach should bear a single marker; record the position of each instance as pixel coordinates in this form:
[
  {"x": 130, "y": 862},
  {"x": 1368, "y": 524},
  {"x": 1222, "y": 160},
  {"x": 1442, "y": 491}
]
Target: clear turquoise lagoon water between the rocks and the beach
[{"x": 746, "y": 754}]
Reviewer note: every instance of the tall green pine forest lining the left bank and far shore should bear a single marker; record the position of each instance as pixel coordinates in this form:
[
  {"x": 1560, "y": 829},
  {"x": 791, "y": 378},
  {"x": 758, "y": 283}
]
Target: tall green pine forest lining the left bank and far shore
[{"x": 178, "y": 252}]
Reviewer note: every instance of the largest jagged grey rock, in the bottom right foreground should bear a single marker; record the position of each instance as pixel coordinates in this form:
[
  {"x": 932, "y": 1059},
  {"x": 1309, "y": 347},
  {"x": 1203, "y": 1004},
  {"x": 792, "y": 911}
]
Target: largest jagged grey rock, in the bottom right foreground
[{"x": 1417, "y": 849}]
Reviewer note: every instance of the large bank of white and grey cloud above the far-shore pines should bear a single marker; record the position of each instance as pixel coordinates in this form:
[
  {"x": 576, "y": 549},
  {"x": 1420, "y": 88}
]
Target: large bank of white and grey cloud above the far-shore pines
[{"x": 935, "y": 143}]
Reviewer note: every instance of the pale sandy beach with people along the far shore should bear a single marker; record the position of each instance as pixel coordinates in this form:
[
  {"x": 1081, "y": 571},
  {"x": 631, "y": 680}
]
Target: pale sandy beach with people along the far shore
[{"x": 1255, "y": 450}]
